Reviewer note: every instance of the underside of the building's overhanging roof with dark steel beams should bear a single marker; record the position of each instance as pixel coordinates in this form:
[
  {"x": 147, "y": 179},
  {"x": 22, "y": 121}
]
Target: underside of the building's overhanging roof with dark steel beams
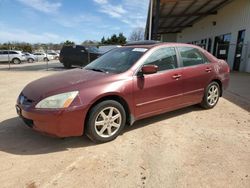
[{"x": 172, "y": 16}]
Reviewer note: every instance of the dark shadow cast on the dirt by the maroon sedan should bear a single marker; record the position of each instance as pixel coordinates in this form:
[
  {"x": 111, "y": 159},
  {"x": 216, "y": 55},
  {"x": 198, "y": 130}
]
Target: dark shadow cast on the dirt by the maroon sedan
[{"x": 17, "y": 138}]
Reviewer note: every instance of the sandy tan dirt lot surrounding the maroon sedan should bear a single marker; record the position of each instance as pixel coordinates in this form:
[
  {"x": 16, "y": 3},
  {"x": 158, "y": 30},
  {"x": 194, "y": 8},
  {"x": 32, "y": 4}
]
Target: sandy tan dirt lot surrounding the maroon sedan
[{"x": 190, "y": 147}]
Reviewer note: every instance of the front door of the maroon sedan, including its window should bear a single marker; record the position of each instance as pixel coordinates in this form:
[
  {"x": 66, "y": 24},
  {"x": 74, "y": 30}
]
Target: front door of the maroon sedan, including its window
[{"x": 161, "y": 91}]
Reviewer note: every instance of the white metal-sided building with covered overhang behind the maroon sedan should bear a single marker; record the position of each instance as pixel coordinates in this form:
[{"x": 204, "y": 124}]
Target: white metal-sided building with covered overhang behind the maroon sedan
[{"x": 220, "y": 26}]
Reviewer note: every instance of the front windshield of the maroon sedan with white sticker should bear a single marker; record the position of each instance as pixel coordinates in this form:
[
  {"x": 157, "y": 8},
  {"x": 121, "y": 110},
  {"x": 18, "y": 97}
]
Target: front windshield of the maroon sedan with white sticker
[{"x": 117, "y": 60}]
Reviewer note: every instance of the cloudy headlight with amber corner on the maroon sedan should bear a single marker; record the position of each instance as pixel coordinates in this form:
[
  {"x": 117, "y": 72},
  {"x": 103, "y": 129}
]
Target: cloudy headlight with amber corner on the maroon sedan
[{"x": 62, "y": 100}]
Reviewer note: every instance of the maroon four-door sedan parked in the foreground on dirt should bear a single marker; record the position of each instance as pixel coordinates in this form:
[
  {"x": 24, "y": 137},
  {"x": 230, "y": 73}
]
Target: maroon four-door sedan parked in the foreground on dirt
[{"x": 121, "y": 87}]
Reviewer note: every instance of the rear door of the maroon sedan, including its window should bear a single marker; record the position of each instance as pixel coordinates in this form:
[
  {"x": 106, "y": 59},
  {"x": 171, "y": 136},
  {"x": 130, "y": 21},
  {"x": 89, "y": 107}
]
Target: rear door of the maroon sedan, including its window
[{"x": 196, "y": 72}]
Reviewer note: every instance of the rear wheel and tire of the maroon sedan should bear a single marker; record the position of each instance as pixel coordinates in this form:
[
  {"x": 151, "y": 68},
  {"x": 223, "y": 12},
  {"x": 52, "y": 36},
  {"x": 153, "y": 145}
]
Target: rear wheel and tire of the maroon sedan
[{"x": 211, "y": 96}]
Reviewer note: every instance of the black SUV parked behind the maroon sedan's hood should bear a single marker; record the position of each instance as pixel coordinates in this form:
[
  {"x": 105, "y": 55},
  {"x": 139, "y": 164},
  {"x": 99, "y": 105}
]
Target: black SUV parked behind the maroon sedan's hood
[{"x": 78, "y": 55}]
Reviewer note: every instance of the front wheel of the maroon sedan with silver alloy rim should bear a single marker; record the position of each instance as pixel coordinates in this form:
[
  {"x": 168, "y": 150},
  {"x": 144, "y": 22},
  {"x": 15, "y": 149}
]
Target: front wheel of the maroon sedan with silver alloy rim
[{"x": 101, "y": 127}]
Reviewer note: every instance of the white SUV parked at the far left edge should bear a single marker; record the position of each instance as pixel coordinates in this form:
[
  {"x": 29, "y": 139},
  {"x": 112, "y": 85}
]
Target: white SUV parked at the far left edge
[{"x": 13, "y": 56}]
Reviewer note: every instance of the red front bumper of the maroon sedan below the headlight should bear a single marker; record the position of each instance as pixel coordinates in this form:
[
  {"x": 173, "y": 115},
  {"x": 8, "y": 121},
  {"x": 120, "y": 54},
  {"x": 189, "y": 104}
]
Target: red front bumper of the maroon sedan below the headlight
[{"x": 59, "y": 123}]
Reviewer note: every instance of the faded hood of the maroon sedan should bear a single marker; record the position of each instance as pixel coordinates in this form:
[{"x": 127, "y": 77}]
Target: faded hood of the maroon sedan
[{"x": 62, "y": 82}]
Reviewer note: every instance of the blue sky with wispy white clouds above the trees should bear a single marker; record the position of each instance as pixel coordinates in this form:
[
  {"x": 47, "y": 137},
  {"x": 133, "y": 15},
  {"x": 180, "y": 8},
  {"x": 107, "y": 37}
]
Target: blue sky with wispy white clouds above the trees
[{"x": 78, "y": 20}]
